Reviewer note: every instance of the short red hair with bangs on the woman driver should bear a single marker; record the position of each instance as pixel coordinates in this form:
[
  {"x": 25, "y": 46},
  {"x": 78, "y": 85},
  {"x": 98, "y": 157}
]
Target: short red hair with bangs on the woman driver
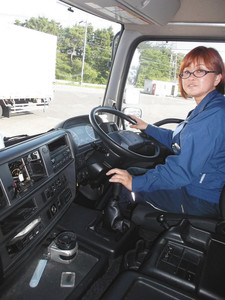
[{"x": 211, "y": 59}]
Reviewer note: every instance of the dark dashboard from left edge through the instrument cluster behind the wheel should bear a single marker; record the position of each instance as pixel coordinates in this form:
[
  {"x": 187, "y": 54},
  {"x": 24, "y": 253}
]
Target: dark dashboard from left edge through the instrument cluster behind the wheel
[{"x": 39, "y": 179}]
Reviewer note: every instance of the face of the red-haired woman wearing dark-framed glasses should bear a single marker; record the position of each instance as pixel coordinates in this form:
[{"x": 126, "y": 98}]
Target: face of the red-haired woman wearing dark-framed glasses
[{"x": 200, "y": 87}]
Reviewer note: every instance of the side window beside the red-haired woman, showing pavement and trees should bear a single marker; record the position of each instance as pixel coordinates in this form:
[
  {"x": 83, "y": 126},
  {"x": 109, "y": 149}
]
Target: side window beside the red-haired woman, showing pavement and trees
[{"x": 152, "y": 81}]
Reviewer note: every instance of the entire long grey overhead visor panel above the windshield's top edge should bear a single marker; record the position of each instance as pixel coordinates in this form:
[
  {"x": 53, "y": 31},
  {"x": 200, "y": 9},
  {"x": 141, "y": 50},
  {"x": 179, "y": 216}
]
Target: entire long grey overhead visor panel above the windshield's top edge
[{"x": 139, "y": 12}]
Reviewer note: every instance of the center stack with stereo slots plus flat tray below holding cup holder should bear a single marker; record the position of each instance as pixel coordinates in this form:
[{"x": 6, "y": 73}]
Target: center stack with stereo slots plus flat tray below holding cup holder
[{"x": 50, "y": 247}]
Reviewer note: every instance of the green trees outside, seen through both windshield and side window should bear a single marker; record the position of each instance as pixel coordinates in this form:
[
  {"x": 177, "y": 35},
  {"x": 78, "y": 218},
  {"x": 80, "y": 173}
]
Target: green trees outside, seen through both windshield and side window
[{"x": 158, "y": 61}]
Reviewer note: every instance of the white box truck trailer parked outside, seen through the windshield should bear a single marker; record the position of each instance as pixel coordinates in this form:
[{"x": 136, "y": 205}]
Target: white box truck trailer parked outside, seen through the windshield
[{"x": 26, "y": 86}]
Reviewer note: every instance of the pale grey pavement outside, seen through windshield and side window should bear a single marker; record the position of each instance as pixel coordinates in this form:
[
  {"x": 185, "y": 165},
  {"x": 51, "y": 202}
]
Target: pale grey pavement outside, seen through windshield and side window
[{"x": 70, "y": 101}]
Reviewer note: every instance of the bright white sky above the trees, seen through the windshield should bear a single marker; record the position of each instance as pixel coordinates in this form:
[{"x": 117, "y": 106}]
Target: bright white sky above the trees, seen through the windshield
[{"x": 51, "y": 9}]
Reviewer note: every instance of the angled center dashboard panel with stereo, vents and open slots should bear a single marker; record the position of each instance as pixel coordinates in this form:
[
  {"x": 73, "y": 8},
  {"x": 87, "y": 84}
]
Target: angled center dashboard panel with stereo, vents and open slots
[{"x": 37, "y": 185}]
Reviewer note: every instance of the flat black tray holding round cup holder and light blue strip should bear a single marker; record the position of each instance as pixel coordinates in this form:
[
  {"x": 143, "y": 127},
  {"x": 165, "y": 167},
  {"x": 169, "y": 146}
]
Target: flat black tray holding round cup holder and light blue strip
[{"x": 55, "y": 272}]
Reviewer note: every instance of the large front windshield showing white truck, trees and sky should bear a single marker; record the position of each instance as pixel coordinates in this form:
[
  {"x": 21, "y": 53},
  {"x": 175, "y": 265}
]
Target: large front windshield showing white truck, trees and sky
[{"x": 55, "y": 64}]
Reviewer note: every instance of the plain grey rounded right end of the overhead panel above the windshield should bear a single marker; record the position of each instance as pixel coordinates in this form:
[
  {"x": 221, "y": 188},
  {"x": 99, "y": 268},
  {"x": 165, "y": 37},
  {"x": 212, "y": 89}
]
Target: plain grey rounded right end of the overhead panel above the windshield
[{"x": 153, "y": 11}]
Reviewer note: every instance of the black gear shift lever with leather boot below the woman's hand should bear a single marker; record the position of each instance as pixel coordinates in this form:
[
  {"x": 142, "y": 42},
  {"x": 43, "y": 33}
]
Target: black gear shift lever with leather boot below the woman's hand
[{"x": 112, "y": 215}]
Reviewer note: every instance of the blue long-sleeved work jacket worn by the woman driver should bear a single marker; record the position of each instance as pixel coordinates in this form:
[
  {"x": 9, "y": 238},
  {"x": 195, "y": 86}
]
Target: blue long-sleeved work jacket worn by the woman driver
[{"x": 199, "y": 165}]
